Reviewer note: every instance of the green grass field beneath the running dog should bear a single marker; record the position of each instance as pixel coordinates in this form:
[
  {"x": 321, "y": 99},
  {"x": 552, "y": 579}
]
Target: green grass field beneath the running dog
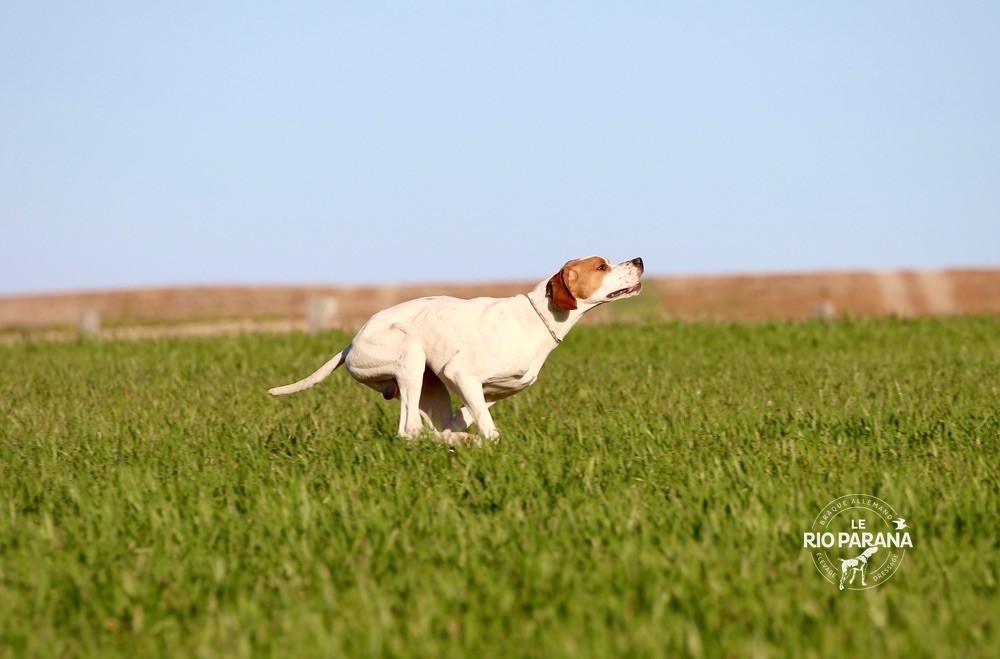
[{"x": 647, "y": 498}]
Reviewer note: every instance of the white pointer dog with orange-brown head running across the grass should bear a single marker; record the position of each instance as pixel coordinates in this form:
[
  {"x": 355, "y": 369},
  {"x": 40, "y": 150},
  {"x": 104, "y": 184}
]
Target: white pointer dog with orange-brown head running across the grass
[{"x": 484, "y": 349}]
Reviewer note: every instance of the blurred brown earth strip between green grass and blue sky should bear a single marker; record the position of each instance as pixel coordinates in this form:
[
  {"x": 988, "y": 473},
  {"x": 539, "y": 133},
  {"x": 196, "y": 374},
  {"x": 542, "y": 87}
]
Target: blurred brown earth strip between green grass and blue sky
[{"x": 282, "y": 308}]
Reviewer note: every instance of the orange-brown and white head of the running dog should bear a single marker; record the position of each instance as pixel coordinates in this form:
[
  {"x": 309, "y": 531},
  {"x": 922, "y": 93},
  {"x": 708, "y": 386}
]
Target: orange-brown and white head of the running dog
[{"x": 593, "y": 280}]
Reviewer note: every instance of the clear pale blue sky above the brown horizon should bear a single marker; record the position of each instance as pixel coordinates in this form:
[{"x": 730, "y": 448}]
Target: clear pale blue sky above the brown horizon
[{"x": 348, "y": 143}]
